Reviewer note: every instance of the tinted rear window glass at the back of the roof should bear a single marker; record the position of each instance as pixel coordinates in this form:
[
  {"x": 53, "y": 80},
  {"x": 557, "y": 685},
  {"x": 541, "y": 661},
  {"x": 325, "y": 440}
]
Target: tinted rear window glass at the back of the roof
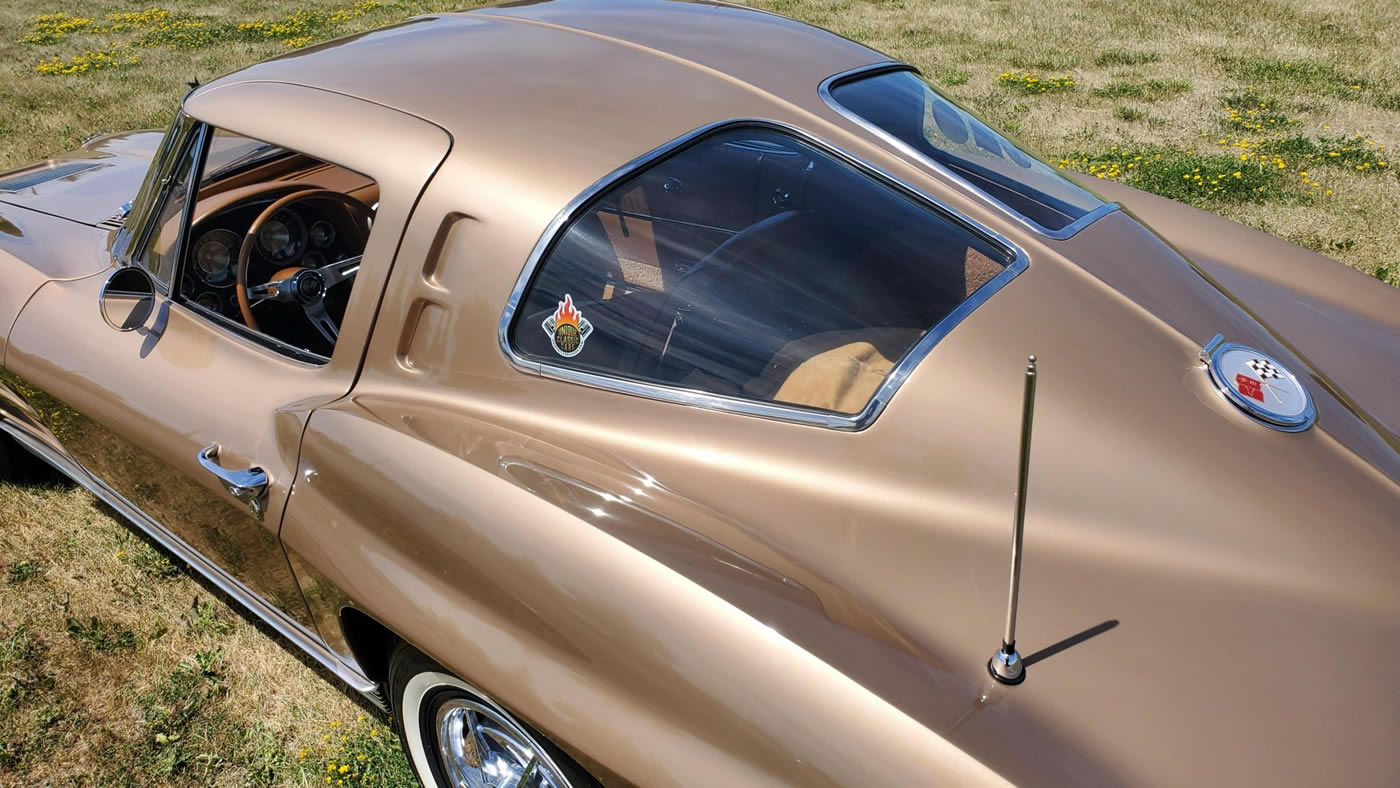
[{"x": 905, "y": 107}]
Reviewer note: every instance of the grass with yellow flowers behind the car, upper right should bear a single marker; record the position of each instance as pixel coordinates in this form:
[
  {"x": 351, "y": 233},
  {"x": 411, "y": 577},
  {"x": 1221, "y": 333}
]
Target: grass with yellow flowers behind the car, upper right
[{"x": 1157, "y": 78}]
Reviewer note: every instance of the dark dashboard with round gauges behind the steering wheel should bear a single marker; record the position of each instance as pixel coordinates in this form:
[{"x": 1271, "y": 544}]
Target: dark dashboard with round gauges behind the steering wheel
[{"x": 300, "y": 236}]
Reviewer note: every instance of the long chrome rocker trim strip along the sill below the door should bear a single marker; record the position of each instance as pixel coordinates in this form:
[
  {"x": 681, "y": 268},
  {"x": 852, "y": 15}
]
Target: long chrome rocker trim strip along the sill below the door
[{"x": 288, "y": 628}]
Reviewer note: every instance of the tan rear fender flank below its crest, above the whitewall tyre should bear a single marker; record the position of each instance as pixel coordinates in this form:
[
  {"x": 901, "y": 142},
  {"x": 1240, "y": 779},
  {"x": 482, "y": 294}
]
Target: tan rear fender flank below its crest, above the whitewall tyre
[{"x": 601, "y": 646}]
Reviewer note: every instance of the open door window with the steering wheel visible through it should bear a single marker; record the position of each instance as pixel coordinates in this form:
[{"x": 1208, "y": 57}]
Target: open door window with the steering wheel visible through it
[{"x": 275, "y": 244}]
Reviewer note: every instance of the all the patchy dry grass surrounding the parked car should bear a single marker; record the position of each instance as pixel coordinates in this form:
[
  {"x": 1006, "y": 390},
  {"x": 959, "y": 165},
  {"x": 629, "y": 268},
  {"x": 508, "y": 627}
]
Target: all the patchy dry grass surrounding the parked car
[{"x": 120, "y": 668}]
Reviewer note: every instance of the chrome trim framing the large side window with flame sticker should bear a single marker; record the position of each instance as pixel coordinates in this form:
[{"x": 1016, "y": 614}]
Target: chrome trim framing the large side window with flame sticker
[{"x": 779, "y": 412}]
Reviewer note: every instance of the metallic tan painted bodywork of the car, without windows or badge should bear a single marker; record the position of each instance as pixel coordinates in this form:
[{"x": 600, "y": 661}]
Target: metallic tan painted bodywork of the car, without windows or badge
[{"x": 681, "y": 596}]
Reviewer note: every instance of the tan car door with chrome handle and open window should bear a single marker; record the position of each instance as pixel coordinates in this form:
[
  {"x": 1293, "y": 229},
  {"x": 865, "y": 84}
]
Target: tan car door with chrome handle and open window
[{"x": 197, "y": 425}]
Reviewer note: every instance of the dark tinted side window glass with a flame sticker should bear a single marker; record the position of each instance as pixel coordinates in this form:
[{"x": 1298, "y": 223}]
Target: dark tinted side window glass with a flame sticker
[{"x": 751, "y": 265}]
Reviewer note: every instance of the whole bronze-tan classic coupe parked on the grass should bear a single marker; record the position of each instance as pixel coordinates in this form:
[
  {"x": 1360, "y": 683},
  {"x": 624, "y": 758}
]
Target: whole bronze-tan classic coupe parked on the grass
[{"x": 631, "y": 393}]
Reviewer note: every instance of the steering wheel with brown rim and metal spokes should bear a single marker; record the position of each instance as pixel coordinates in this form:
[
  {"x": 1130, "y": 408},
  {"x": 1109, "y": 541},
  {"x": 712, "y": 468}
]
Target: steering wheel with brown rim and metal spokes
[{"x": 303, "y": 286}]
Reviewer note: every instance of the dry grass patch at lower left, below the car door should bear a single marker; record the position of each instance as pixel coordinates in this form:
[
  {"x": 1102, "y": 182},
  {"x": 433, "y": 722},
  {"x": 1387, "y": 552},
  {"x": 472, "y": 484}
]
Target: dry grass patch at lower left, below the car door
[{"x": 118, "y": 668}]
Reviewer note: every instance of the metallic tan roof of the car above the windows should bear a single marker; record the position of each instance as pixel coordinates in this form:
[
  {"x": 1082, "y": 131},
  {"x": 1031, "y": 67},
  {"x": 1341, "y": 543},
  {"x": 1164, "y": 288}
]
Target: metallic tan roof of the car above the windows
[{"x": 598, "y": 80}]
